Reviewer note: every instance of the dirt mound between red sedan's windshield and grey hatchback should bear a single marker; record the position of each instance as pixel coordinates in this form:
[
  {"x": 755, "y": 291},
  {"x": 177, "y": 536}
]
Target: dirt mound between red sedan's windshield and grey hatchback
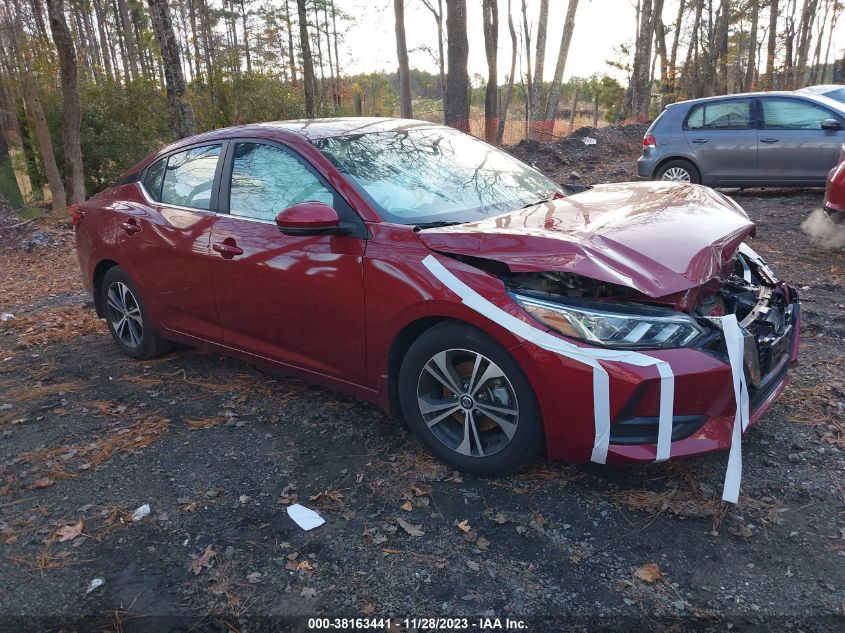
[{"x": 613, "y": 157}]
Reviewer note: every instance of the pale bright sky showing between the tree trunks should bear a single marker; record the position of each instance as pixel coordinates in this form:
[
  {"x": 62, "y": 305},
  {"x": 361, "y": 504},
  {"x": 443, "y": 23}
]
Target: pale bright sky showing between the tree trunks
[{"x": 600, "y": 26}]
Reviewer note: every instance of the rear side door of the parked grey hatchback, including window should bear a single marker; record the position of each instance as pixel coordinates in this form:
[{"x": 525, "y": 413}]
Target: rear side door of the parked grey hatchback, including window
[{"x": 723, "y": 138}]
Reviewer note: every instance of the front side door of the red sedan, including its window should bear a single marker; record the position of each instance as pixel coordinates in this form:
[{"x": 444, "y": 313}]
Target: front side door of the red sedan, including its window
[{"x": 297, "y": 300}]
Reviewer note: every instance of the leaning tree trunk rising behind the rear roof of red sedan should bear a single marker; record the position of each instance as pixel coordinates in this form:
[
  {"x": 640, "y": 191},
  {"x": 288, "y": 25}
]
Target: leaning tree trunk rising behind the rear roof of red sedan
[{"x": 182, "y": 121}]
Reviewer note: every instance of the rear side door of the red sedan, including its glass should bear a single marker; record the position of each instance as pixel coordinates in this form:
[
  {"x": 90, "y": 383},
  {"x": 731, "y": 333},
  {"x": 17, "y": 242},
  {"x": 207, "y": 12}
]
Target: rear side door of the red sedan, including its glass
[{"x": 166, "y": 241}]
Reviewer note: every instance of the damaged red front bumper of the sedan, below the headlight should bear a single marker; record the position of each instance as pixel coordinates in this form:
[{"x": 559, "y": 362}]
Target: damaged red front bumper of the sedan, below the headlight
[{"x": 703, "y": 409}]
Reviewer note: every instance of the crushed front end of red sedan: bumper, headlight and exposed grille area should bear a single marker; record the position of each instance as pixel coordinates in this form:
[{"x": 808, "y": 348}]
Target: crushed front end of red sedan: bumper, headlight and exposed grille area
[{"x": 704, "y": 406}]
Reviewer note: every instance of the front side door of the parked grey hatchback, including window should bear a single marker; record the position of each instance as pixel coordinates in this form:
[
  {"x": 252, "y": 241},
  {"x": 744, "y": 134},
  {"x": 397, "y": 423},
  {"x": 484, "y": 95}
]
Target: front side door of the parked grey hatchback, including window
[{"x": 793, "y": 148}]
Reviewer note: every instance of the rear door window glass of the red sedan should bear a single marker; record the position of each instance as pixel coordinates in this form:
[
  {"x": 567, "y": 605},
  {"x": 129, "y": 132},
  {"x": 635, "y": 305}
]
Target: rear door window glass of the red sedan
[{"x": 189, "y": 177}]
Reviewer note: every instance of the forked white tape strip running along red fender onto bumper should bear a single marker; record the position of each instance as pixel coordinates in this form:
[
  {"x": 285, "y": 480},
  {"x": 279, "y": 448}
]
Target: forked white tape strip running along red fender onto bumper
[{"x": 585, "y": 355}]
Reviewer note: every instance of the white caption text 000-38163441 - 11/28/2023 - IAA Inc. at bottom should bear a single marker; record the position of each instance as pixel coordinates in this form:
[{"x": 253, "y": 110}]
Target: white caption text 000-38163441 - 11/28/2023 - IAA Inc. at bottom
[{"x": 423, "y": 623}]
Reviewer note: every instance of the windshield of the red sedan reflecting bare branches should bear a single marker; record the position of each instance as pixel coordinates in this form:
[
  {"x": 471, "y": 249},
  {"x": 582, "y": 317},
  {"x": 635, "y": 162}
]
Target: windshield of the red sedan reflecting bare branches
[{"x": 433, "y": 175}]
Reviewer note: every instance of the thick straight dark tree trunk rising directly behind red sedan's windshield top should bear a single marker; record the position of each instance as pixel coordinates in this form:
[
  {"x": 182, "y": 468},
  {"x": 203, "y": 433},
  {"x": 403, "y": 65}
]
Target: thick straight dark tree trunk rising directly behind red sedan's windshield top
[{"x": 456, "y": 112}]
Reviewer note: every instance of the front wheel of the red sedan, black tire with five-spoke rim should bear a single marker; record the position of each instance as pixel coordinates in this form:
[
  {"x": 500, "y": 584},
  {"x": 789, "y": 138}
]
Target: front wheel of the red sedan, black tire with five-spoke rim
[{"x": 469, "y": 402}]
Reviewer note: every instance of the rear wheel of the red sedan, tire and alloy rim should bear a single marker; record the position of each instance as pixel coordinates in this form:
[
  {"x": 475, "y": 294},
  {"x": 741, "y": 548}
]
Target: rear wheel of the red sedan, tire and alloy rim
[{"x": 127, "y": 317}]
